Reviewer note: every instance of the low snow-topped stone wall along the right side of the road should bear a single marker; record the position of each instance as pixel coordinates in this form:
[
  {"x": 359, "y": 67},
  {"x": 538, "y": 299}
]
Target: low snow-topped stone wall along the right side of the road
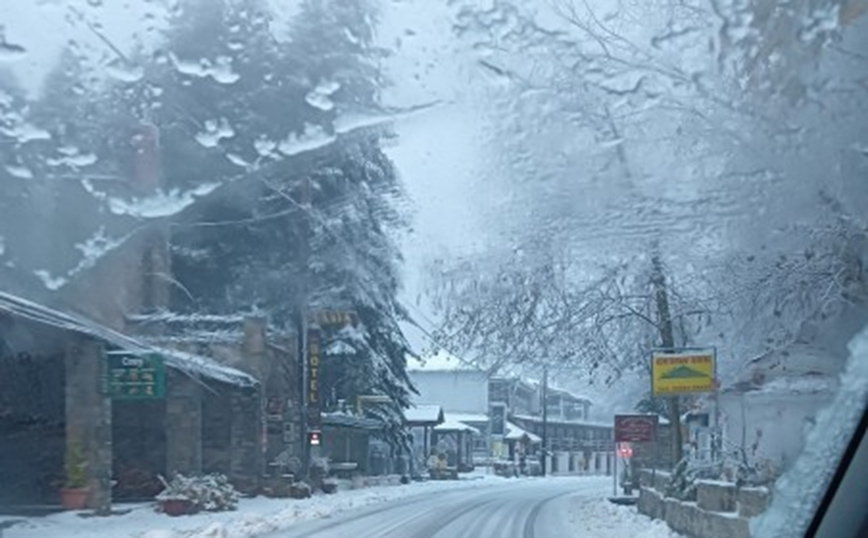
[{"x": 721, "y": 509}]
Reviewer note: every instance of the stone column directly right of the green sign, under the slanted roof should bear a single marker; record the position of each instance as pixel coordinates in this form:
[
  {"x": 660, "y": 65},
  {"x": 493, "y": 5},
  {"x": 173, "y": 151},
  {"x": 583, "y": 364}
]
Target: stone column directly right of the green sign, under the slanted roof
[{"x": 183, "y": 424}]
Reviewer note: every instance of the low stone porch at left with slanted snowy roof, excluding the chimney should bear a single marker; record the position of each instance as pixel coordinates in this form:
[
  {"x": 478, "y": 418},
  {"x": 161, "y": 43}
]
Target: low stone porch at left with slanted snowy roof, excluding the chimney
[{"x": 59, "y": 392}]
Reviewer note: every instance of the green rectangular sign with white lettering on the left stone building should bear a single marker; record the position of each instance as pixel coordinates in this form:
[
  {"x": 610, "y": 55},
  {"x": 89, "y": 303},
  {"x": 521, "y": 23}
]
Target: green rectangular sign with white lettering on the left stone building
[{"x": 135, "y": 376}]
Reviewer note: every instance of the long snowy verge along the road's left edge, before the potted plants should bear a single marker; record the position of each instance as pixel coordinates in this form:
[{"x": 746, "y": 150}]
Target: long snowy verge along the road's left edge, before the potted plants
[{"x": 253, "y": 517}]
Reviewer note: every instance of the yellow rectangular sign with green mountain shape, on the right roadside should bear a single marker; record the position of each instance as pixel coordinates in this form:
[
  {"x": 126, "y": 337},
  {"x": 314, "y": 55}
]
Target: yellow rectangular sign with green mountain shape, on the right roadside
[{"x": 683, "y": 372}]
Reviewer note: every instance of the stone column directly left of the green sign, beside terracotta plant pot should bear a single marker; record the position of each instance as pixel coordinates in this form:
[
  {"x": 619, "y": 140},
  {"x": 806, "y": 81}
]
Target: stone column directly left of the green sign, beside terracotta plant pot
[{"x": 89, "y": 417}]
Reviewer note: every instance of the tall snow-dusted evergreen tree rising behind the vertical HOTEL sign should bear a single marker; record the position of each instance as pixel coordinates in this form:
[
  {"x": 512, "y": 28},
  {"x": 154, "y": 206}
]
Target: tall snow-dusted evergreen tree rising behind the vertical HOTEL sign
[{"x": 306, "y": 217}]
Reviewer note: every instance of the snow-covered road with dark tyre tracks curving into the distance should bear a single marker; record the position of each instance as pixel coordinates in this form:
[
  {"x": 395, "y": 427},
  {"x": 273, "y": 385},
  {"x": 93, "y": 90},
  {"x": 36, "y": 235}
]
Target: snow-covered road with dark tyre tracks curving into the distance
[{"x": 555, "y": 508}]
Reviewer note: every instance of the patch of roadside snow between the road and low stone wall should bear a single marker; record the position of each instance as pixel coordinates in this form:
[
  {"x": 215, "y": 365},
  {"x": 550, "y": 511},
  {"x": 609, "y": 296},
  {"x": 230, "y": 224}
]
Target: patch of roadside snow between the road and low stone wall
[{"x": 598, "y": 518}]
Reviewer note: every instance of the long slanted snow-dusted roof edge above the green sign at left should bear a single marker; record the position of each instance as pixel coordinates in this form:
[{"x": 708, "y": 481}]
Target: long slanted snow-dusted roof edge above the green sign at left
[{"x": 186, "y": 362}]
